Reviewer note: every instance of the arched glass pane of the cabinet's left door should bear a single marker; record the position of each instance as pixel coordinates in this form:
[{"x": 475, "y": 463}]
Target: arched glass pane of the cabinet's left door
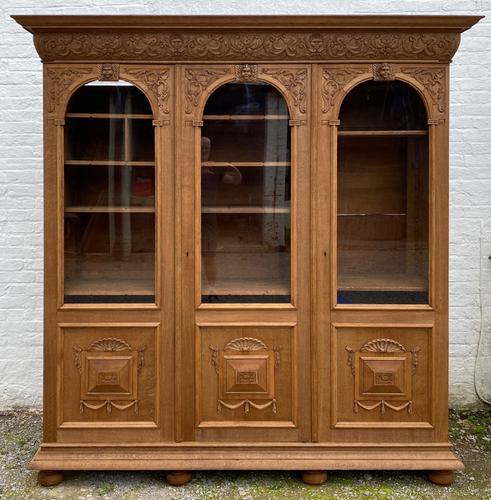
[{"x": 109, "y": 196}]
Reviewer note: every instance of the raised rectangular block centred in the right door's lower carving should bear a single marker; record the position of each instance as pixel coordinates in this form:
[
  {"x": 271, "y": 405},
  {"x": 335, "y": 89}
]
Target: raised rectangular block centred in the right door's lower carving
[{"x": 382, "y": 376}]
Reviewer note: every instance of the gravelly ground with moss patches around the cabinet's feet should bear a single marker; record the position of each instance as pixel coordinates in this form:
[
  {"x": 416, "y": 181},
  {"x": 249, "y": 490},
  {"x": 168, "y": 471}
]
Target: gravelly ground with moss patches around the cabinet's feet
[{"x": 20, "y": 432}]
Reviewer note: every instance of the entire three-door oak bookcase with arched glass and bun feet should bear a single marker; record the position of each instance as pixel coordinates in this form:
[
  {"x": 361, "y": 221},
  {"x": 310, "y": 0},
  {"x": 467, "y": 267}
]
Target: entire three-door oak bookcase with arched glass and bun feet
[{"x": 246, "y": 243}]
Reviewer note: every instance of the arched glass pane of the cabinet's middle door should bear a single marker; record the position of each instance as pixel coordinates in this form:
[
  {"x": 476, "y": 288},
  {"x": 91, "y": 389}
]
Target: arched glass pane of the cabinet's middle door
[{"x": 245, "y": 196}]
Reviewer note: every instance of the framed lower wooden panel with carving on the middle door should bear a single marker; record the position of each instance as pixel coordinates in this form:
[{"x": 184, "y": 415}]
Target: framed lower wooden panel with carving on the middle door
[{"x": 245, "y": 380}]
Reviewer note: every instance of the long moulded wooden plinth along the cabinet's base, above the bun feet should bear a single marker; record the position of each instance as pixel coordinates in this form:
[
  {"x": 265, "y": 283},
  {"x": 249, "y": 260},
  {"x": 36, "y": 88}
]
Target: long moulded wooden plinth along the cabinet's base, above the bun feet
[{"x": 246, "y": 456}]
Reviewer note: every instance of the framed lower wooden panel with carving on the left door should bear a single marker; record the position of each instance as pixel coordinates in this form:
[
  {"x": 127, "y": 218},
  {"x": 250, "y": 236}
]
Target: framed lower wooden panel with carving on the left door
[{"x": 108, "y": 378}]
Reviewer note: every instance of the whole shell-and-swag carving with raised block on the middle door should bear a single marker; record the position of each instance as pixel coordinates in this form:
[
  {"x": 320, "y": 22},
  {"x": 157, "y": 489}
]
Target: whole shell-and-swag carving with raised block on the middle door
[{"x": 245, "y": 374}]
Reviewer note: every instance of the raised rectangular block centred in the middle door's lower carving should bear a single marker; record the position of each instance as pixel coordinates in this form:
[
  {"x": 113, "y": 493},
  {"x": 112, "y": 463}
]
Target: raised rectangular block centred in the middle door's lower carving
[{"x": 247, "y": 376}]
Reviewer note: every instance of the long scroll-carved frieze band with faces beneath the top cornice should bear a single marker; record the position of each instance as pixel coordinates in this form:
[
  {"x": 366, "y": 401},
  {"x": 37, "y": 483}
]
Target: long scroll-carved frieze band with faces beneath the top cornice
[{"x": 249, "y": 44}]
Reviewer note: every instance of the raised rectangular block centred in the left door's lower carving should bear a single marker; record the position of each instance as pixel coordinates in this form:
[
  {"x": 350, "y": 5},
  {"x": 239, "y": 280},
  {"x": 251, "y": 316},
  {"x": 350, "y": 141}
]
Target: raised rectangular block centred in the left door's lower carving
[{"x": 108, "y": 375}]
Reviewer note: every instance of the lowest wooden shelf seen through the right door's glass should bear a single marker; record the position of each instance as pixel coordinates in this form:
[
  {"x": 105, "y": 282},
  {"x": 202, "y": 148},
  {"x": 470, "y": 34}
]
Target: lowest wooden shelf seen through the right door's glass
[{"x": 382, "y": 283}]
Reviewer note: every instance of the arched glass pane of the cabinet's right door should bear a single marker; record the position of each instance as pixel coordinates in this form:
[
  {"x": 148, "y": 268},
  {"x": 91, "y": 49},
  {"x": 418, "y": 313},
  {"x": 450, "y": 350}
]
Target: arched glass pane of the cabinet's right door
[{"x": 382, "y": 196}]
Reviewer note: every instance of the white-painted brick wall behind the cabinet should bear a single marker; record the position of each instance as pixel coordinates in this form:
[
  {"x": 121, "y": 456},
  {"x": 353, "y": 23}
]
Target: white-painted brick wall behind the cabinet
[{"x": 21, "y": 252}]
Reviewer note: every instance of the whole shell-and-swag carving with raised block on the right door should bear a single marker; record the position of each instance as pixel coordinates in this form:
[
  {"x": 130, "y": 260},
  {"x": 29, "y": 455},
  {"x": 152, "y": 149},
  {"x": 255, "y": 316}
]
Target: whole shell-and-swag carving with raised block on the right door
[{"x": 382, "y": 370}]
